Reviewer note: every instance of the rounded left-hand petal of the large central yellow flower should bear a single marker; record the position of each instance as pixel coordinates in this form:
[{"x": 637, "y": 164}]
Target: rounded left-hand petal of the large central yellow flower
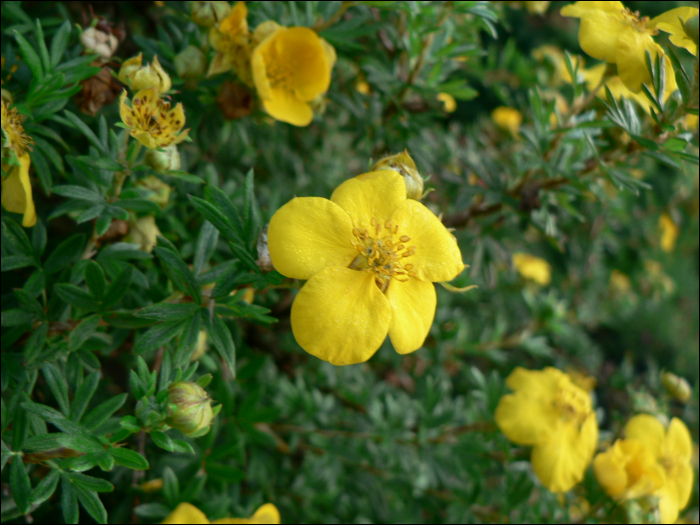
[{"x": 307, "y": 234}]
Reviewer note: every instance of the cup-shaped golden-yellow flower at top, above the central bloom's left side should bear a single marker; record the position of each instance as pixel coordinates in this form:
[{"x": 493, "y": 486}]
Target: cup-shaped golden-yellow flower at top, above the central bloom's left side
[{"x": 292, "y": 67}]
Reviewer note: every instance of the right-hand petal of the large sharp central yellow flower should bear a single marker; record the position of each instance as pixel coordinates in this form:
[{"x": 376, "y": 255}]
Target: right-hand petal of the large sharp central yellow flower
[{"x": 437, "y": 256}]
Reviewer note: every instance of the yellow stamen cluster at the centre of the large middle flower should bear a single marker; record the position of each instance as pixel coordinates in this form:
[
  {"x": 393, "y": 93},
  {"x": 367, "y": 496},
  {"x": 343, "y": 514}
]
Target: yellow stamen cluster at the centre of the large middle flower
[{"x": 382, "y": 251}]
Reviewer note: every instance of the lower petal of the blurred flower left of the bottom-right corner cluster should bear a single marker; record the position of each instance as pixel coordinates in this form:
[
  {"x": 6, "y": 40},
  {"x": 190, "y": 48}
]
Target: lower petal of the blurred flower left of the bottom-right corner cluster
[{"x": 562, "y": 460}]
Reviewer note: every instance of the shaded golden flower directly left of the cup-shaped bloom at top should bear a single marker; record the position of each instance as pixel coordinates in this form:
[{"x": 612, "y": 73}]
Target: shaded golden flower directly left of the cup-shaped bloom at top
[{"x": 230, "y": 38}]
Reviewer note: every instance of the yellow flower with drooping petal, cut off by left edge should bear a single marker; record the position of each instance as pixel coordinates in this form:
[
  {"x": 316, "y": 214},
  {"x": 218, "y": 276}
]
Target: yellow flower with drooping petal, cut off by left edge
[{"x": 16, "y": 188}]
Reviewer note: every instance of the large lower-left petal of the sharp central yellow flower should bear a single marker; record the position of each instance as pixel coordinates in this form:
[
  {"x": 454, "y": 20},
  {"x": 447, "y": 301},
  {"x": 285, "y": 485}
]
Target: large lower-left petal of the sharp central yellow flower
[{"x": 341, "y": 316}]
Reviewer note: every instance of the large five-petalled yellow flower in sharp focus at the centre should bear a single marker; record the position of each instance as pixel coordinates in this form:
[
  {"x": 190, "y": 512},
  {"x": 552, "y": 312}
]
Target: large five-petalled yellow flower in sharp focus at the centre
[{"x": 370, "y": 256}]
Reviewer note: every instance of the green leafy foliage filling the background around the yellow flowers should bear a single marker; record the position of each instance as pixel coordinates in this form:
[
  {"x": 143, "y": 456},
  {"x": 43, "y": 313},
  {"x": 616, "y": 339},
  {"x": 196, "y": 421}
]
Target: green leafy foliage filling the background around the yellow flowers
[{"x": 397, "y": 439}]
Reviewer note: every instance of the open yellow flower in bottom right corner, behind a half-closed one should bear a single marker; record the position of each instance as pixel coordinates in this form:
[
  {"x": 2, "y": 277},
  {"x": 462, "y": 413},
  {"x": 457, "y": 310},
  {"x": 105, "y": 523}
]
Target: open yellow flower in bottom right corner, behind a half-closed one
[{"x": 672, "y": 450}]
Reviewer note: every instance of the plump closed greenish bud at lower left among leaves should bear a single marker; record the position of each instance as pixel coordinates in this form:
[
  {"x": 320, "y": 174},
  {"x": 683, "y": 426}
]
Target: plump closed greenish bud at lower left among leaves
[{"x": 193, "y": 413}]
